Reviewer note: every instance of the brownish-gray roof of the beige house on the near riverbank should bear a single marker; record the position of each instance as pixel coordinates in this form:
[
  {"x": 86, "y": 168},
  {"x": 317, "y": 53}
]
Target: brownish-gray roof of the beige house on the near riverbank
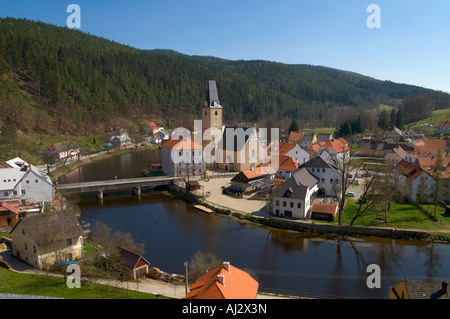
[{"x": 52, "y": 227}]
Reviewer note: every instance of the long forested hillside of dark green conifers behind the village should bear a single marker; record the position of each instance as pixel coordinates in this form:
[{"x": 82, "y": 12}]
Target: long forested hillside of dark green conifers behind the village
[{"x": 63, "y": 81}]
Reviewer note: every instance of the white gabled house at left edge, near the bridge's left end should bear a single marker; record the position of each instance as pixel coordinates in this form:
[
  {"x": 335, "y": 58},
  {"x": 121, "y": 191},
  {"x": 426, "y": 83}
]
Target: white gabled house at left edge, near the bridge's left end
[{"x": 25, "y": 183}]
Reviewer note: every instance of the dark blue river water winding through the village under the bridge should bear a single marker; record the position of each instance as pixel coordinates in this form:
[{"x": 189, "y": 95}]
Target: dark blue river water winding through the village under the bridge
[{"x": 281, "y": 261}]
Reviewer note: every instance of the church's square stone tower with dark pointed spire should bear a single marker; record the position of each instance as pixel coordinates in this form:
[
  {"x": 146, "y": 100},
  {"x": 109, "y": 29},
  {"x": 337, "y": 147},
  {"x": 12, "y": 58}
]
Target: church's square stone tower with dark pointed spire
[{"x": 211, "y": 111}]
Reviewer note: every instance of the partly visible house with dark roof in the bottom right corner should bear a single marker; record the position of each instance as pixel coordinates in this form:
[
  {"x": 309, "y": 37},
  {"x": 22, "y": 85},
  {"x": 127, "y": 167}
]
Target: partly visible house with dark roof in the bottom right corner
[{"x": 415, "y": 289}]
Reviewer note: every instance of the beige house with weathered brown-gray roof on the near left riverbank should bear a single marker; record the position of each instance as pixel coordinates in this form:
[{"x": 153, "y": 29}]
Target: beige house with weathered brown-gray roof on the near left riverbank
[{"x": 41, "y": 240}]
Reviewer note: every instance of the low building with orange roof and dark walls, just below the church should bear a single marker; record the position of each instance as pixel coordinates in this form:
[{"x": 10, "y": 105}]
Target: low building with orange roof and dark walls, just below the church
[{"x": 252, "y": 179}]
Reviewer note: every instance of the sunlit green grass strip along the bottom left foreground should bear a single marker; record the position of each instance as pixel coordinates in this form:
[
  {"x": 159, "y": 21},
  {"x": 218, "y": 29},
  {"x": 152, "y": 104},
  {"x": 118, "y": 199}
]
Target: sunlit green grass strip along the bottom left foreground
[{"x": 49, "y": 286}]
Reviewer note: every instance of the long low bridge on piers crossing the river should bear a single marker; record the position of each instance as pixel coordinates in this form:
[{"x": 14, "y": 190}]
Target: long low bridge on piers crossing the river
[{"x": 135, "y": 184}]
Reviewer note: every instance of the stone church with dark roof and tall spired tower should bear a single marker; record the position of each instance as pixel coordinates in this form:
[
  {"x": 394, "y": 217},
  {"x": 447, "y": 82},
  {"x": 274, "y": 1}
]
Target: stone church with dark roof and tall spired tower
[{"x": 231, "y": 148}]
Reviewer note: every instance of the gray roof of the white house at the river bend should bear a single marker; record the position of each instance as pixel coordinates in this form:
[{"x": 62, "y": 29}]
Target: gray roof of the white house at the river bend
[{"x": 297, "y": 185}]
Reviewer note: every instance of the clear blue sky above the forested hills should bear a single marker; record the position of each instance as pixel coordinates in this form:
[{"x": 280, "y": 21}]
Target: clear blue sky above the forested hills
[{"x": 412, "y": 45}]
